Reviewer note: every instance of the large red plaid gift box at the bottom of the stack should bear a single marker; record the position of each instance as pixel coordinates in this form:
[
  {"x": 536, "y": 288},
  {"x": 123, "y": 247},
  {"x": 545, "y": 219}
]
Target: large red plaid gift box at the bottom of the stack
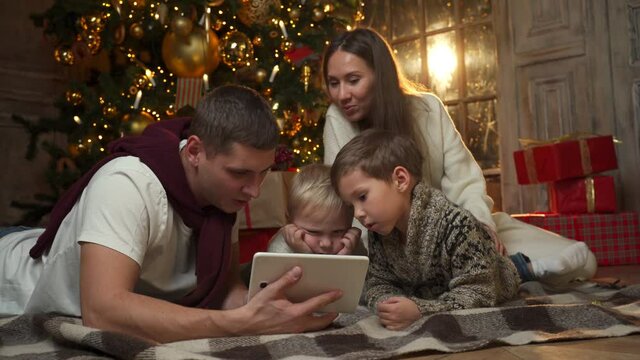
[{"x": 613, "y": 238}]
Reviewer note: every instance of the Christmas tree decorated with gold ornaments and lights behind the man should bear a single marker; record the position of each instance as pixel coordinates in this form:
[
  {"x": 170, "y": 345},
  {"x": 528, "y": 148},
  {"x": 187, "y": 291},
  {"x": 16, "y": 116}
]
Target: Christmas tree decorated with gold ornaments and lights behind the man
[{"x": 140, "y": 61}]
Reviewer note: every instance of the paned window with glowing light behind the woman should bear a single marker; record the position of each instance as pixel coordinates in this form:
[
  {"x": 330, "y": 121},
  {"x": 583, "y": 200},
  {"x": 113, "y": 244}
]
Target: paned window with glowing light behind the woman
[{"x": 449, "y": 46}]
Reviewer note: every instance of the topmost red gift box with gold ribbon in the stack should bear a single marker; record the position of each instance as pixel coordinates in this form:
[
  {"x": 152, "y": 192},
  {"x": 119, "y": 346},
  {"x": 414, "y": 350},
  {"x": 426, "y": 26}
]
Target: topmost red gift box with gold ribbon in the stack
[{"x": 565, "y": 159}]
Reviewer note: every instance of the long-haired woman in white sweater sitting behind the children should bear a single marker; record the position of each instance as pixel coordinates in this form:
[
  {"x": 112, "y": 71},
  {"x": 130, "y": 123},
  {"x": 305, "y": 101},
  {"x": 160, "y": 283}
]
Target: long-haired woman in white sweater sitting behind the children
[{"x": 367, "y": 90}]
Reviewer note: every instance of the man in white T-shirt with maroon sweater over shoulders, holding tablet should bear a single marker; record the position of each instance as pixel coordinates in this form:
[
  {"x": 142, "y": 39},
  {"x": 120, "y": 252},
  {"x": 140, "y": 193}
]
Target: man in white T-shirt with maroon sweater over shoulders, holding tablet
[{"x": 143, "y": 244}]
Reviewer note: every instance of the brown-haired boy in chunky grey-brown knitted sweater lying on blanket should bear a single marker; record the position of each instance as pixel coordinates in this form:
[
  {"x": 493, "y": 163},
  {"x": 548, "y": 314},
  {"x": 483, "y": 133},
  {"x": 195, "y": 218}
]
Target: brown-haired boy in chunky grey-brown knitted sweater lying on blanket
[{"x": 426, "y": 254}]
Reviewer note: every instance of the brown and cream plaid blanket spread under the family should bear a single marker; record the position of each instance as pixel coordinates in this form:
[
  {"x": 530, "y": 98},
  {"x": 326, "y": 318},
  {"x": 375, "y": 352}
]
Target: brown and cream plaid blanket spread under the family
[{"x": 539, "y": 315}]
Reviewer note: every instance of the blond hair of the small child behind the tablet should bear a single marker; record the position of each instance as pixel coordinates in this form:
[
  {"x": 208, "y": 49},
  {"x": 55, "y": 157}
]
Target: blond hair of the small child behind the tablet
[{"x": 311, "y": 189}]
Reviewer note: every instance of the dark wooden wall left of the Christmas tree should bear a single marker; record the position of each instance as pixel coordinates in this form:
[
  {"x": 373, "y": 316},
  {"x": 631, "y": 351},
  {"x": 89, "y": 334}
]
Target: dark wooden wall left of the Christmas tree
[{"x": 29, "y": 82}]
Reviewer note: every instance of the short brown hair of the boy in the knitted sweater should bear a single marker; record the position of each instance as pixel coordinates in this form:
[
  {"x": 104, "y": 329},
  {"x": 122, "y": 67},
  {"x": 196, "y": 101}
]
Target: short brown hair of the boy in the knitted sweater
[{"x": 377, "y": 153}]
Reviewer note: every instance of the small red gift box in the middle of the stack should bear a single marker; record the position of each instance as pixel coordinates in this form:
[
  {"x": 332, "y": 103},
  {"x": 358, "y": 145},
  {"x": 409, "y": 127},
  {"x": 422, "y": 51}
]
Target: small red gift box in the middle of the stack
[{"x": 585, "y": 195}]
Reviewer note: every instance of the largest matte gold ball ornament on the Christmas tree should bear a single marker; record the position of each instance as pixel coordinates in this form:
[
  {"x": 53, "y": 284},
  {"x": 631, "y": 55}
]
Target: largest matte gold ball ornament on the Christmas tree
[{"x": 192, "y": 55}]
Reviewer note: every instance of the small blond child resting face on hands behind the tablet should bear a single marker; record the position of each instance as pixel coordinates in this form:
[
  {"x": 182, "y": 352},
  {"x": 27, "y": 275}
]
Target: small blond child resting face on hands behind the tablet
[{"x": 319, "y": 218}]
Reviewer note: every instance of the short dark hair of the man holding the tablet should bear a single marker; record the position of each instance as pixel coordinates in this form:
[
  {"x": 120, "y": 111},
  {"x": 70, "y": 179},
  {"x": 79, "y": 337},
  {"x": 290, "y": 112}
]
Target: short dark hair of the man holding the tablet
[{"x": 234, "y": 114}]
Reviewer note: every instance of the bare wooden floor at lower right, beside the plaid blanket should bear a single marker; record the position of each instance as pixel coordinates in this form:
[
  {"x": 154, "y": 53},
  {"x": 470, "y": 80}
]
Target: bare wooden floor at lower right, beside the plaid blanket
[{"x": 619, "y": 348}]
